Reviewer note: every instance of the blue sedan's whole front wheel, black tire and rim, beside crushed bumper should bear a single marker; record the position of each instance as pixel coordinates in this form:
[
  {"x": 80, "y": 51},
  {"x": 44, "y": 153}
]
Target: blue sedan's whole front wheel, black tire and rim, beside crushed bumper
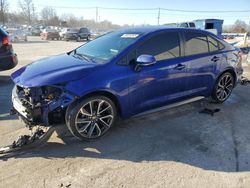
[{"x": 91, "y": 118}]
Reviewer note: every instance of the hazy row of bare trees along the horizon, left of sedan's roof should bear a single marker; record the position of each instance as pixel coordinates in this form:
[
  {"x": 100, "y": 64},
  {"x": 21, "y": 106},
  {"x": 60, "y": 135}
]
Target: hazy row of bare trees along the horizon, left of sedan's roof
[{"x": 28, "y": 15}]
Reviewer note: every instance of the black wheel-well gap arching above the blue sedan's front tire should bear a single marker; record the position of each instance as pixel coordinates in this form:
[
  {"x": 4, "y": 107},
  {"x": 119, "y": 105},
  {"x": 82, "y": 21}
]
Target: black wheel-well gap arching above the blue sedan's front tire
[{"x": 106, "y": 94}]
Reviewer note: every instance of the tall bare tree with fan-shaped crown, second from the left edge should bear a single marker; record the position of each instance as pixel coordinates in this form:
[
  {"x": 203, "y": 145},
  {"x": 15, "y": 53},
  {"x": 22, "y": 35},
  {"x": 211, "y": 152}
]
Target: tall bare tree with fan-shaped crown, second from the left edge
[{"x": 28, "y": 10}]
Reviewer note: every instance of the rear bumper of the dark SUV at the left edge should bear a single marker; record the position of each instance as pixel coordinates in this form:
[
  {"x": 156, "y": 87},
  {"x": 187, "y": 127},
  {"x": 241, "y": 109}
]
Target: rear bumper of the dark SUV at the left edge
[{"x": 8, "y": 62}]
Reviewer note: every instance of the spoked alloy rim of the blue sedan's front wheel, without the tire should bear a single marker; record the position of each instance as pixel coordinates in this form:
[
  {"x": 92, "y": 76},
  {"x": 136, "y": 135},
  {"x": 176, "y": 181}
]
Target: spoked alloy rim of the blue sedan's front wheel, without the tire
[{"x": 94, "y": 118}]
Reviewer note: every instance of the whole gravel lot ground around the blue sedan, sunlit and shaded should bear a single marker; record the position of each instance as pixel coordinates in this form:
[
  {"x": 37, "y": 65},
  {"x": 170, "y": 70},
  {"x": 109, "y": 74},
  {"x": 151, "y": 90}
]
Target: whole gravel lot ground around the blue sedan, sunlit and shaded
[{"x": 175, "y": 148}]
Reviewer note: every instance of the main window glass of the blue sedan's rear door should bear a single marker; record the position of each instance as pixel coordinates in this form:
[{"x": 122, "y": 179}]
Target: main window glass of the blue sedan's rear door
[{"x": 196, "y": 43}]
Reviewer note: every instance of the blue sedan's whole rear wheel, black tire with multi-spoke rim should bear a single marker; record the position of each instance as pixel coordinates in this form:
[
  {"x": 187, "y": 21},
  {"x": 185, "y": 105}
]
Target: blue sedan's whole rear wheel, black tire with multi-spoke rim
[{"x": 223, "y": 88}]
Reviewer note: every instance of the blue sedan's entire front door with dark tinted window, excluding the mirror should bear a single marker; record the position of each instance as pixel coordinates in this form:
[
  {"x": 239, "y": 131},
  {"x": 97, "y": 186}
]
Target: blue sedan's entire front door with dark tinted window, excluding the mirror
[{"x": 163, "y": 82}]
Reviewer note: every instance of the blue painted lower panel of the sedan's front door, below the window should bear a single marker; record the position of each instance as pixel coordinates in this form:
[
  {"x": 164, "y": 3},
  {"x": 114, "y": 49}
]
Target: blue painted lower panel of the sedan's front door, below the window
[{"x": 157, "y": 85}]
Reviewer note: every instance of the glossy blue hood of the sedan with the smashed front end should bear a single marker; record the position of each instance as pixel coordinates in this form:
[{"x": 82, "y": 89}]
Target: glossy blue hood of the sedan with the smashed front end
[{"x": 52, "y": 70}]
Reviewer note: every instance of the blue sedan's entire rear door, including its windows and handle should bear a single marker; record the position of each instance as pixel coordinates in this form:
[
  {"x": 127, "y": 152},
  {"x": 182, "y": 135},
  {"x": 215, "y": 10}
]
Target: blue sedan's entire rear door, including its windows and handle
[{"x": 201, "y": 56}]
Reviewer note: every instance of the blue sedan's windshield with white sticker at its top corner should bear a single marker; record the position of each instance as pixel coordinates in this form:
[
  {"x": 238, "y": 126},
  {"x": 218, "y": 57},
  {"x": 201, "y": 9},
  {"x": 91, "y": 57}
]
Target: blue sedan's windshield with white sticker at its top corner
[{"x": 105, "y": 48}]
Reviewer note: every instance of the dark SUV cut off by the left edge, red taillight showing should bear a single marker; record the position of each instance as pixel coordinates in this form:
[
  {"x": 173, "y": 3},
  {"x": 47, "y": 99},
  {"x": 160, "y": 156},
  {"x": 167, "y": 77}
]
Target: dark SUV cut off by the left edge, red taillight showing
[{"x": 8, "y": 59}]
